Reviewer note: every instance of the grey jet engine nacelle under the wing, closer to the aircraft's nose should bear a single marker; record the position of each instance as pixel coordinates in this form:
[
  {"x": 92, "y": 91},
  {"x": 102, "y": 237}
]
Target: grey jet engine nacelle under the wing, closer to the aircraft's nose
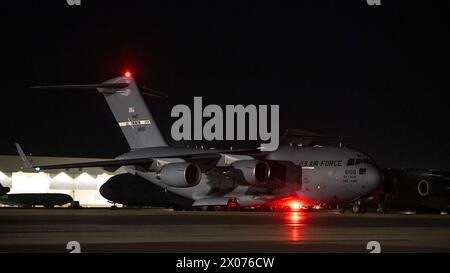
[{"x": 253, "y": 171}]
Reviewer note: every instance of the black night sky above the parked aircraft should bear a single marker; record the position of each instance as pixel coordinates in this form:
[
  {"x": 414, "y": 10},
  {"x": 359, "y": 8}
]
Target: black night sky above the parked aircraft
[{"x": 376, "y": 74}]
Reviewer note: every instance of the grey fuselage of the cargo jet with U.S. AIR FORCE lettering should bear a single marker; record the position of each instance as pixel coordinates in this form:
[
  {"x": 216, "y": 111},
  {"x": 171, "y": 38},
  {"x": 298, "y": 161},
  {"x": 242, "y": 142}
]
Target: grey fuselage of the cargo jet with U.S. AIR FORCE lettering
[{"x": 325, "y": 175}]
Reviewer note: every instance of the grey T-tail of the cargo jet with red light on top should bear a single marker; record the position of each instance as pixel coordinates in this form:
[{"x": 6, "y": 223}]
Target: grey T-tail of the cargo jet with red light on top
[{"x": 129, "y": 108}]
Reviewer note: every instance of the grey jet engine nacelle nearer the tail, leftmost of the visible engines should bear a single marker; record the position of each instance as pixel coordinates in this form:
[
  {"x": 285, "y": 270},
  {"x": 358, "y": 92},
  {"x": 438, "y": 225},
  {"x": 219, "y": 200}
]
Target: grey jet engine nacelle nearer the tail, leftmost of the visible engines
[{"x": 180, "y": 175}]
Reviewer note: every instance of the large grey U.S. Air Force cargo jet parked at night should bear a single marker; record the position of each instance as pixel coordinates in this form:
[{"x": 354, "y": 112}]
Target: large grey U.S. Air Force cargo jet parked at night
[{"x": 211, "y": 178}]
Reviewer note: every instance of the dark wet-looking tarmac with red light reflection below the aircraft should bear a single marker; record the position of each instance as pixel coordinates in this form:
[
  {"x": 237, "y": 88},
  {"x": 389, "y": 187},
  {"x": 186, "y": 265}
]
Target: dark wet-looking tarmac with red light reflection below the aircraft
[{"x": 160, "y": 230}]
